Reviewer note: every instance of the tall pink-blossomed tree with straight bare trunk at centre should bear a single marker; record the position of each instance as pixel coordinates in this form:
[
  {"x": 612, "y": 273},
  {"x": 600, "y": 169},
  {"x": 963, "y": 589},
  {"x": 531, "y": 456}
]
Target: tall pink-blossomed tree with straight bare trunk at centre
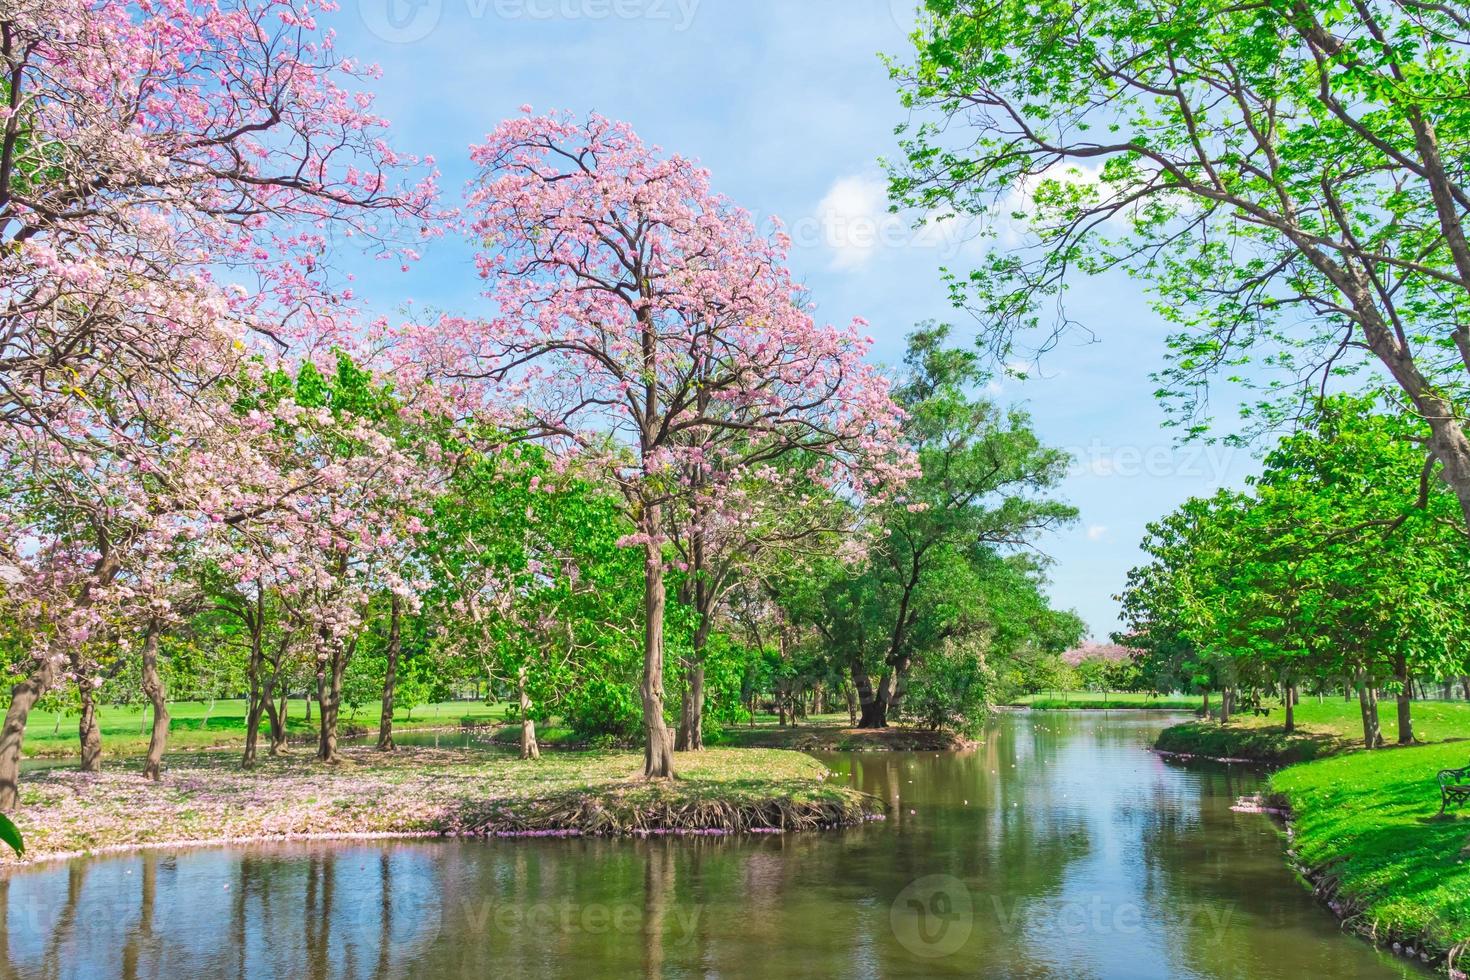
[{"x": 639, "y": 318}]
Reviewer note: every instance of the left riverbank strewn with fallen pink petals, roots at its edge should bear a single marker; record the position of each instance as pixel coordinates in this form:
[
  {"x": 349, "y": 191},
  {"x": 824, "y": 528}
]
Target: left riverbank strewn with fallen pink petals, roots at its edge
[{"x": 423, "y": 793}]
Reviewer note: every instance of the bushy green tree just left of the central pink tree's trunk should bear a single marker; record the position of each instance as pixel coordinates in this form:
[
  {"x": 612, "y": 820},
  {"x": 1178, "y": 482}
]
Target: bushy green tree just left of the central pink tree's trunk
[{"x": 533, "y": 588}]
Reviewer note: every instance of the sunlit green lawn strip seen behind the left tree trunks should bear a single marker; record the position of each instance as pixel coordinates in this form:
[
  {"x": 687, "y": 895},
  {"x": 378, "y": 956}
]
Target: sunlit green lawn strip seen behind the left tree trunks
[{"x": 195, "y": 725}]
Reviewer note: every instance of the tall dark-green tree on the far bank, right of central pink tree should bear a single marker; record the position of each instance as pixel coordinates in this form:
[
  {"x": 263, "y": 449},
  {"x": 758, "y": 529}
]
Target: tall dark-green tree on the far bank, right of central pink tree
[{"x": 947, "y": 568}]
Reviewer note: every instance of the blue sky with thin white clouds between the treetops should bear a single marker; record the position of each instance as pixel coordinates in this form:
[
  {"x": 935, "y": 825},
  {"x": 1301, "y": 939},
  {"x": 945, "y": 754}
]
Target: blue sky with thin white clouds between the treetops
[{"x": 790, "y": 108}]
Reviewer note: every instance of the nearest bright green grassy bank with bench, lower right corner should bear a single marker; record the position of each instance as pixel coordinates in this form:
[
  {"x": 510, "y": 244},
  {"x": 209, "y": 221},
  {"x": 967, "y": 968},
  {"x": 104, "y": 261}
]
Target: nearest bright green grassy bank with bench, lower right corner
[{"x": 1365, "y": 832}]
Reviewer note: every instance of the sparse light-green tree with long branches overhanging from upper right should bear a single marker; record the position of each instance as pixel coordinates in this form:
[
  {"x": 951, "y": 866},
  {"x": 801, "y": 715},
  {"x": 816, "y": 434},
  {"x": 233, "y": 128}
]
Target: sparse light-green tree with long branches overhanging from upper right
[{"x": 1287, "y": 177}]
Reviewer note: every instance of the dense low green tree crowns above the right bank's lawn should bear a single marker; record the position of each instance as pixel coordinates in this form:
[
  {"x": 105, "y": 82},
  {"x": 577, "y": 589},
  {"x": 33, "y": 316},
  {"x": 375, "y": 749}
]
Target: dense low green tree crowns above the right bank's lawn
[{"x": 1343, "y": 562}]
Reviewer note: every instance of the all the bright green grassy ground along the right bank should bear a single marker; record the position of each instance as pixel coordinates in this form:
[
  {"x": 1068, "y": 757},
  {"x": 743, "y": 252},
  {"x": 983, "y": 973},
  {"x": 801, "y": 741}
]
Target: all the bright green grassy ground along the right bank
[{"x": 1365, "y": 828}]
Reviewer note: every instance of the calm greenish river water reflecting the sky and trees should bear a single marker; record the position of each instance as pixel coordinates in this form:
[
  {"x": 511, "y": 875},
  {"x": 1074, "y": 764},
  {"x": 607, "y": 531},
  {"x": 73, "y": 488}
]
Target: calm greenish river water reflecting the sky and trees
[{"x": 1059, "y": 849}]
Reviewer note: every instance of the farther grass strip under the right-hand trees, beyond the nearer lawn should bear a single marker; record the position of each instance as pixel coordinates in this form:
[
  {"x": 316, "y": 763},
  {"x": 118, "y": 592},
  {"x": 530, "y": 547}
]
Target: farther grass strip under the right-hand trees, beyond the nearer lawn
[{"x": 1325, "y": 728}]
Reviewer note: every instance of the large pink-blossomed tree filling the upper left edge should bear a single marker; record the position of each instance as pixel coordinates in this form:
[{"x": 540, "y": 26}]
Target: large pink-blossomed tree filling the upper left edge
[{"x": 174, "y": 177}]
